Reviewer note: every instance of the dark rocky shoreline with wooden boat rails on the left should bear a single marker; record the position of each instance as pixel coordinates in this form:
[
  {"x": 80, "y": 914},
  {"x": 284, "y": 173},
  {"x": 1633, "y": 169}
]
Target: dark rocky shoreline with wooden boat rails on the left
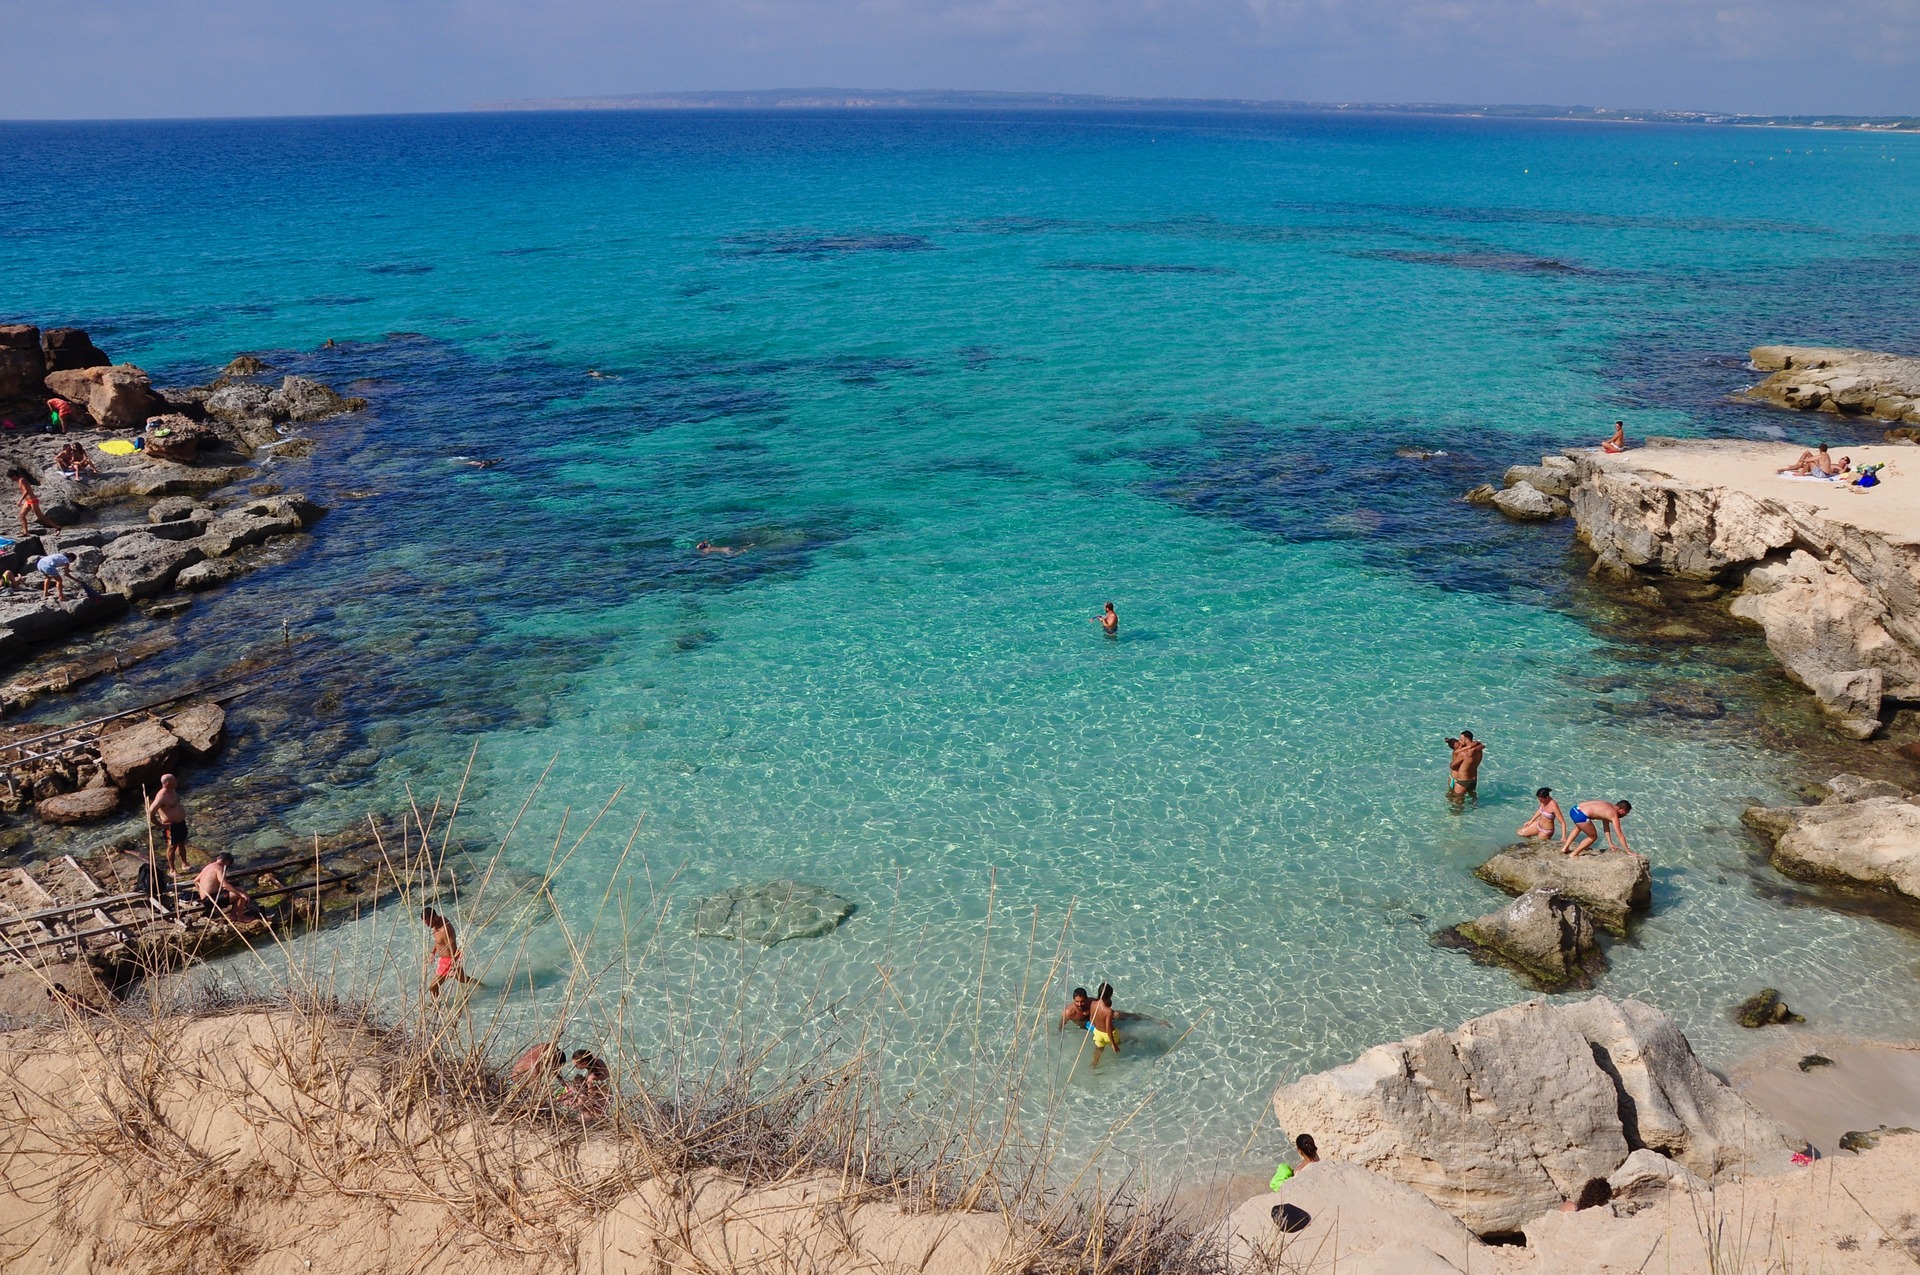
[{"x": 180, "y": 504}]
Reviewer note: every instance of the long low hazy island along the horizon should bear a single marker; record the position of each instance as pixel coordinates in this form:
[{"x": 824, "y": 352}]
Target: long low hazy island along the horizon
[{"x": 942, "y": 101}]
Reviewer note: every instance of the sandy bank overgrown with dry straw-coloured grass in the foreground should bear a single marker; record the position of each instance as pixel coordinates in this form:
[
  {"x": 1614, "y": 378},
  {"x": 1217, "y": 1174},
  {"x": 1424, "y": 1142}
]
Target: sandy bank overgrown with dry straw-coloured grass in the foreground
[{"x": 229, "y": 1128}]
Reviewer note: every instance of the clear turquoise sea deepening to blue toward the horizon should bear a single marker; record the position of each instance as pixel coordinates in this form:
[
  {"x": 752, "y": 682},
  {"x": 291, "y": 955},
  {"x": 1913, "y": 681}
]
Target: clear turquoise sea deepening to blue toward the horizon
[{"x": 953, "y": 381}]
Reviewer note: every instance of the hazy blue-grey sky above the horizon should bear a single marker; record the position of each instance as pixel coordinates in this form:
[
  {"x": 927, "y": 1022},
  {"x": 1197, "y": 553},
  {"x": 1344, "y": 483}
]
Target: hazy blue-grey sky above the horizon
[{"x": 143, "y": 59}]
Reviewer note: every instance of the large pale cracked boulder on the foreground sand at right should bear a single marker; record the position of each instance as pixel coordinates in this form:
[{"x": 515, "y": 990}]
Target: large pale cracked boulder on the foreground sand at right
[{"x": 1514, "y": 1113}]
